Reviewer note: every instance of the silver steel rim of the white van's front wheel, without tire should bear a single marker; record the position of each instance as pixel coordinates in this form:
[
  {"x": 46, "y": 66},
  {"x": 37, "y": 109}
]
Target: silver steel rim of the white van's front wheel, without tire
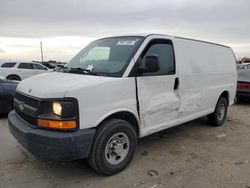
[{"x": 117, "y": 148}]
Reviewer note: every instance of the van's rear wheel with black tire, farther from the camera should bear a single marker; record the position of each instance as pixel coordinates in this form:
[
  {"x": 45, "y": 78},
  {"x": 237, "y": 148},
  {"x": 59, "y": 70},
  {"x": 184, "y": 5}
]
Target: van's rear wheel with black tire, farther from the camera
[{"x": 217, "y": 118}]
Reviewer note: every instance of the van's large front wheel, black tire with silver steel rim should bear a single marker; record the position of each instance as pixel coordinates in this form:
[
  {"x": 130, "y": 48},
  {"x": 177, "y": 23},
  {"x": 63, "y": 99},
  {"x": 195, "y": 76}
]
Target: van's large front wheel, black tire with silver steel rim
[{"x": 114, "y": 147}]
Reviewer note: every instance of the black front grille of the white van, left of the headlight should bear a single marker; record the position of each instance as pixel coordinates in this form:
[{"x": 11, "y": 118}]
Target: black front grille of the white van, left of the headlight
[{"x": 28, "y": 112}]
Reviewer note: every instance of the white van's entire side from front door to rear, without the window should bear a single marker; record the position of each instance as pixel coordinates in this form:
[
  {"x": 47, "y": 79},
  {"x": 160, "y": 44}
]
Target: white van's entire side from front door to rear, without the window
[{"x": 204, "y": 70}]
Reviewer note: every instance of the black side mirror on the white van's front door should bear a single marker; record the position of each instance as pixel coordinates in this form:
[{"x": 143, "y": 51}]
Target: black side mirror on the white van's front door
[{"x": 151, "y": 64}]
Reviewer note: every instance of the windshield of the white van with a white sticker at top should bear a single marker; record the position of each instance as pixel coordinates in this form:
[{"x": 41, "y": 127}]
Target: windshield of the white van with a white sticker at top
[{"x": 108, "y": 56}]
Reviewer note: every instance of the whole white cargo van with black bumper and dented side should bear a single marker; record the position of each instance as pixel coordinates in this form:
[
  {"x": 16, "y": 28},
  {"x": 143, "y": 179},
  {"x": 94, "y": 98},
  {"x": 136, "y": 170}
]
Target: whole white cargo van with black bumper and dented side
[{"x": 119, "y": 89}]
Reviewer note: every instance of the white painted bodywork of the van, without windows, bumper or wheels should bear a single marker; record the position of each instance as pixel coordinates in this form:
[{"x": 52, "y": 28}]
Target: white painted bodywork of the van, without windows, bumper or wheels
[{"x": 203, "y": 73}]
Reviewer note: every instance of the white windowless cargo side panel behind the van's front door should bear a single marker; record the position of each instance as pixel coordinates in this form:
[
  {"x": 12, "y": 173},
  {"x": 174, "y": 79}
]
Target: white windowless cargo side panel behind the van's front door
[{"x": 205, "y": 70}]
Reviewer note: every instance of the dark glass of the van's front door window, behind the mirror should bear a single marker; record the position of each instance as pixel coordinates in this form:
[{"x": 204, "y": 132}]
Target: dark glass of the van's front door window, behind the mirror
[{"x": 165, "y": 53}]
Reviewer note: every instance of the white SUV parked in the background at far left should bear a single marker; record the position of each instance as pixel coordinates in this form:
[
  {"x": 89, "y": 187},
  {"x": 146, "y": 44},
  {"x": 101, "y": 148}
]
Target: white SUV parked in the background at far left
[{"x": 21, "y": 70}]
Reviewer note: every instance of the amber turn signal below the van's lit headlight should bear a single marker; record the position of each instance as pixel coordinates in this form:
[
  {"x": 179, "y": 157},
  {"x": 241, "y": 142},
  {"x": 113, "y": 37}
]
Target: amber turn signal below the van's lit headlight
[{"x": 56, "y": 124}]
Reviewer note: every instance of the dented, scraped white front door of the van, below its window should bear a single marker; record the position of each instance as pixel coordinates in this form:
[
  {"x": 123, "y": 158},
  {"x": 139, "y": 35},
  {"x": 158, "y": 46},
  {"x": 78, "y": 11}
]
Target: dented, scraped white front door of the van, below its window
[{"x": 158, "y": 100}]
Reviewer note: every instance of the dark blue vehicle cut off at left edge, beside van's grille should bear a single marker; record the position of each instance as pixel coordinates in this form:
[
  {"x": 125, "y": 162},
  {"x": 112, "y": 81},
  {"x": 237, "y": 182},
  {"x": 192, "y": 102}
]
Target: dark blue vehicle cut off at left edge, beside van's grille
[{"x": 7, "y": 91}]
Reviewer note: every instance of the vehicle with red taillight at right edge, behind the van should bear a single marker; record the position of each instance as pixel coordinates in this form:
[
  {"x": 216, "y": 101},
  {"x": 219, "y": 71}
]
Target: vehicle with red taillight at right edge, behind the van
[{"x": 243, "y": 85}]
